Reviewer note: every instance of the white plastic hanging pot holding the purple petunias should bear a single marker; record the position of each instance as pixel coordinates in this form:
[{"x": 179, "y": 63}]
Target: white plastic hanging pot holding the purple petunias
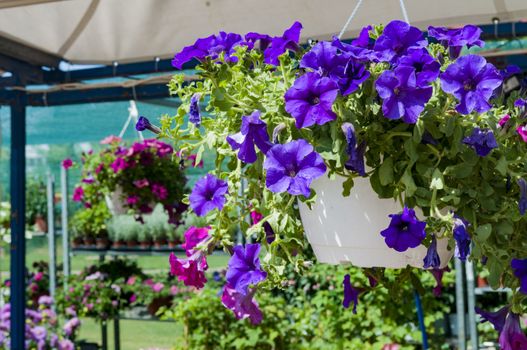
[{"x": 345, "y": 230}]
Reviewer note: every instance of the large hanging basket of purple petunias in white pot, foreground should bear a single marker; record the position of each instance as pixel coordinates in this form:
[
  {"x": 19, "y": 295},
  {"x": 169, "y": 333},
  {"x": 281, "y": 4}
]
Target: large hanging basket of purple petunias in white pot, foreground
[{"x": 388, "y": 151}]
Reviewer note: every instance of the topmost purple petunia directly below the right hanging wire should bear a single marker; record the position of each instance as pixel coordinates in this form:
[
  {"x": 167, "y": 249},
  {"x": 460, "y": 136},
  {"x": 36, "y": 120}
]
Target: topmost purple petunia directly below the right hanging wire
[{"x": 396, "y": 38}]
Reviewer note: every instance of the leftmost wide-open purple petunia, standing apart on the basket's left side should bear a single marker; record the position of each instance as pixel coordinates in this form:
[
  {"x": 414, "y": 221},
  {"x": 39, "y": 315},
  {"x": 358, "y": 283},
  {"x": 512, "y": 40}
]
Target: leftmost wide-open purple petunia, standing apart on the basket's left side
[{"x": 208, "y": 193}]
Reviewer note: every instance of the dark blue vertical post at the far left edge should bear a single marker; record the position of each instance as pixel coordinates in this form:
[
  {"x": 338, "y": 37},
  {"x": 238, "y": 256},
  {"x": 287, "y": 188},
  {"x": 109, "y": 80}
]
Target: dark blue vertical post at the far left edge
[{"x": 18, "y": 213}]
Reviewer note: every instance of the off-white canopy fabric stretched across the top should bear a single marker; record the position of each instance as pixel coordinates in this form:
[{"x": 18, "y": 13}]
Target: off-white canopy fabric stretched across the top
[{"x": 105, "y": 31}]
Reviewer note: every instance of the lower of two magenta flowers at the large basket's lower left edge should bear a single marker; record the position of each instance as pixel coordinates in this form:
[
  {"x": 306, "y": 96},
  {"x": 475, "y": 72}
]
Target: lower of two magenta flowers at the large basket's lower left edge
[{"x": 191, "y": 270}]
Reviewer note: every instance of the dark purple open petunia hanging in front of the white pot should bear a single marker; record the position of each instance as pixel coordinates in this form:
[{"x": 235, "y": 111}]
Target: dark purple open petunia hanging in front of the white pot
[{"x": 405, "y": 231}]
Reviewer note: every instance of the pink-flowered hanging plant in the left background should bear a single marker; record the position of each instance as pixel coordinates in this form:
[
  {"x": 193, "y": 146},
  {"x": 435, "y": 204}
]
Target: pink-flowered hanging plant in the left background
[{"x": 136, "y": 178}]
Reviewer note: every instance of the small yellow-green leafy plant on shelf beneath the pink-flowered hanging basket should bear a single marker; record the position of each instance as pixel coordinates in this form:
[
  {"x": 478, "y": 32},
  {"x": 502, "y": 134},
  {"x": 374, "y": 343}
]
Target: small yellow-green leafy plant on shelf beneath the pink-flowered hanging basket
[{"x": 91, "y": 222}]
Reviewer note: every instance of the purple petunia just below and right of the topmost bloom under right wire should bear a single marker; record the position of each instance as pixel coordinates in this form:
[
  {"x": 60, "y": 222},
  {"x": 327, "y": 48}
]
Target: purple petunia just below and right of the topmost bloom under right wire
[{"x": 426, "y": 67}]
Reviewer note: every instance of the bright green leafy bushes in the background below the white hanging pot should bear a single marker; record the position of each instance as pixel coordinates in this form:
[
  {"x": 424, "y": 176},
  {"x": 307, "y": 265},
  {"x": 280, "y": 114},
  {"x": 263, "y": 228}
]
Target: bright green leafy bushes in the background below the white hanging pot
[{"x": 308, "y": 314}]
